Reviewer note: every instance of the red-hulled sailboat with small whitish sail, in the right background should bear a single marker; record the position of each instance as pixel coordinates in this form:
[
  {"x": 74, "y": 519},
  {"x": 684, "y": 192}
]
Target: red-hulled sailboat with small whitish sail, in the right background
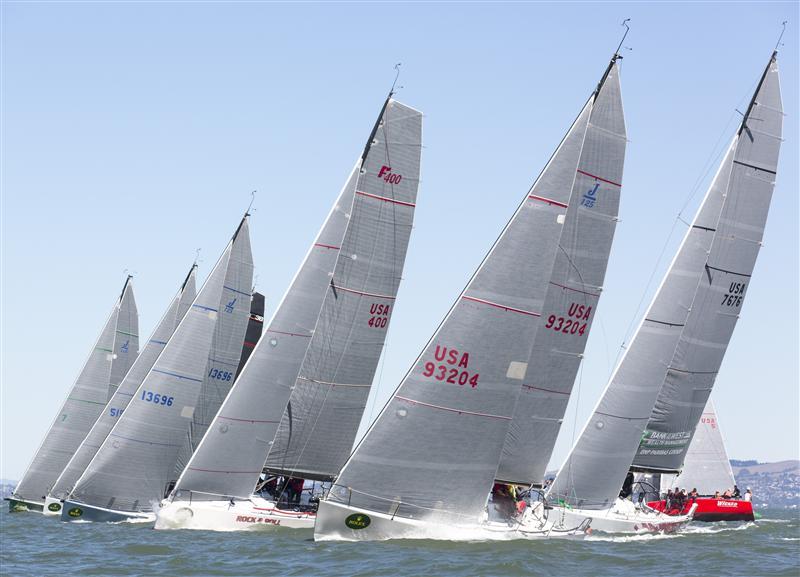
[{"x": 708, "y": 470}]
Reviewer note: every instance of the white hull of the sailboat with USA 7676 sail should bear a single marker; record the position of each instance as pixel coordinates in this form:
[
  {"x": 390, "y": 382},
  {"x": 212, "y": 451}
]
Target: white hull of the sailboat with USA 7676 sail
[{"x": 625, "y": 517}]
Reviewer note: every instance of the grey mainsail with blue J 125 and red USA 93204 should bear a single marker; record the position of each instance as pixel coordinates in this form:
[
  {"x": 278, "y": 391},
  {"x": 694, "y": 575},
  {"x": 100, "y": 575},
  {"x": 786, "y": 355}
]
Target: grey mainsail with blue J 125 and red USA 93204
[{"x": 572, "y": 296}]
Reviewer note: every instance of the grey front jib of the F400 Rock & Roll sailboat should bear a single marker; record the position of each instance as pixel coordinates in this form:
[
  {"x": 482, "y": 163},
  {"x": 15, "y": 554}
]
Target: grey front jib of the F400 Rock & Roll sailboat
[{"x": 229, "y": 459}]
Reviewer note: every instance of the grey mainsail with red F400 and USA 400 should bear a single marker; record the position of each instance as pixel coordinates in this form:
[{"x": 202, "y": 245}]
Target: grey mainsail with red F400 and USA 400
[{"x": 318, "y": 429}]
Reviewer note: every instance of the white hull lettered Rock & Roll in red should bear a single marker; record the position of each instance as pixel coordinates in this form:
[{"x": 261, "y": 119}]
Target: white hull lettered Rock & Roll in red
[{"x": 254, "y": 514}]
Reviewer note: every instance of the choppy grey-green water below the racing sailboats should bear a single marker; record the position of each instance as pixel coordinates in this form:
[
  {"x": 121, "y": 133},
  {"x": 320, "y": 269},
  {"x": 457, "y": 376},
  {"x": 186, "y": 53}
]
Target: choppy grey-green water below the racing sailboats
[{"x": 38, "y": 546}]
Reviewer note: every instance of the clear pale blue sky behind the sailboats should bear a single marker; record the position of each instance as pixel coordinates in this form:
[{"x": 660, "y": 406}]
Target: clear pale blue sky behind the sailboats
[{"x": 133, "y": 133}]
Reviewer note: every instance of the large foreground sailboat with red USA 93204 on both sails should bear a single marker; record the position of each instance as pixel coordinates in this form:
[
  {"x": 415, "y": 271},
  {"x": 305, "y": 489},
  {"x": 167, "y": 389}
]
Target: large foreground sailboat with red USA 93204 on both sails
[{"x": 428, "y": 462}]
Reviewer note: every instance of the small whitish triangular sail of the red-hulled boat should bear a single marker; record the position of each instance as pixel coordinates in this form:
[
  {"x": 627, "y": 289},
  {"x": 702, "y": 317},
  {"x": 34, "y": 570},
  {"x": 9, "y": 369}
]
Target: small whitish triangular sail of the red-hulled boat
[{"x": 706, "y": 467}]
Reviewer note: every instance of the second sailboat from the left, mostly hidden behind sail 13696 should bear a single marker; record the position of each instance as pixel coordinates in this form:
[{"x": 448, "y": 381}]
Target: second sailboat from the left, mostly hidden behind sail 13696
[{"x": 122, "y": 395}]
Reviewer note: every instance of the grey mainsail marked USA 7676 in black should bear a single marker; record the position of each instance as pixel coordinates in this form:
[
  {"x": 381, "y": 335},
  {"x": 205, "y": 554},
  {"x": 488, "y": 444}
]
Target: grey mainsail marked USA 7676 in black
[{"x": 722, "y": 290}]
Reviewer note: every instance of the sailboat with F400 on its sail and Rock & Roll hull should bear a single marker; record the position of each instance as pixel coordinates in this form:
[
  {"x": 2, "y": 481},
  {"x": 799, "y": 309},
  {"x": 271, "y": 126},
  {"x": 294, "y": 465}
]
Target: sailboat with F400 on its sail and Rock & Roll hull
[{"x": 298, "y": 402}]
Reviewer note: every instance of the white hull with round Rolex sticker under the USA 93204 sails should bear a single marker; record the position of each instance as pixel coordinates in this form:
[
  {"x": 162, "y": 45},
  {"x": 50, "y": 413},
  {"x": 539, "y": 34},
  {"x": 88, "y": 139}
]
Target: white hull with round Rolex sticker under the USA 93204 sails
[{"x": 337, "y": 522}]
